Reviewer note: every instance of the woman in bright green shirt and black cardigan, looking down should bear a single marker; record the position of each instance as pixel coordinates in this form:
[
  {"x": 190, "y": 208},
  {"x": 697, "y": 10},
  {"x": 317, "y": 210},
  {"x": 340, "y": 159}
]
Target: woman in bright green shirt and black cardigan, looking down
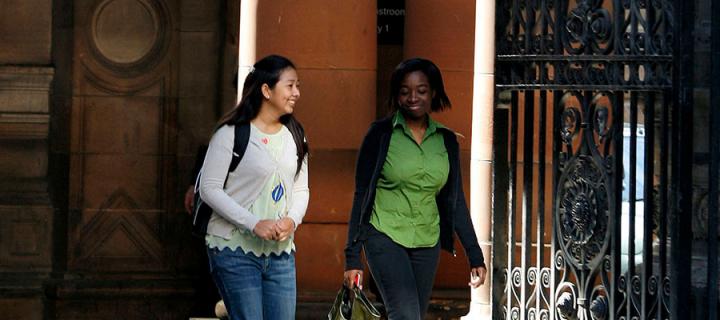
[{"x": 409, "y": 201}]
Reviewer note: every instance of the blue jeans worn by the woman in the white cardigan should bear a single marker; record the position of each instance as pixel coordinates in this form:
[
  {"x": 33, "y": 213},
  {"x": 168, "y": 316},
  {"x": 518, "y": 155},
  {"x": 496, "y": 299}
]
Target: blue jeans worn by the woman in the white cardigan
[{"x": 255, "y": 288}]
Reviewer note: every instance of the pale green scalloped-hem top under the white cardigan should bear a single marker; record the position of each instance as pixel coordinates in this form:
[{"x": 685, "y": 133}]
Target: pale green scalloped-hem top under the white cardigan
[{"x": 270, "y": 204}]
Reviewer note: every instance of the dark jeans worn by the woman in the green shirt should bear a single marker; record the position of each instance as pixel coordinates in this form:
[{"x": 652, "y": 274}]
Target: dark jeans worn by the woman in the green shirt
[{"x": 404, "y": 276}]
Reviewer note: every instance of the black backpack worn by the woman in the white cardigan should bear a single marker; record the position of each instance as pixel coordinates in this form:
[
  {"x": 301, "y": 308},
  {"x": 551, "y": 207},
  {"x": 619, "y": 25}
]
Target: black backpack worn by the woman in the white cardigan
[{"x": 201, "y": 210}]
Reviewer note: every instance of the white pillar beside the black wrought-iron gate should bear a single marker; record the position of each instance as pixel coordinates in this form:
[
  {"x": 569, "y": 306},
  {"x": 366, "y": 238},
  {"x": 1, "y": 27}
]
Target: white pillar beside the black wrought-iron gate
[{"x": 481, "y": 150}]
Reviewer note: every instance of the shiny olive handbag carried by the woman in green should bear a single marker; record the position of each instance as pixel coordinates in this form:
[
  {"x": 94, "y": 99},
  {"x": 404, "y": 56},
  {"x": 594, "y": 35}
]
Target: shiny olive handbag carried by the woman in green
[{"x": 352, "y": 304}]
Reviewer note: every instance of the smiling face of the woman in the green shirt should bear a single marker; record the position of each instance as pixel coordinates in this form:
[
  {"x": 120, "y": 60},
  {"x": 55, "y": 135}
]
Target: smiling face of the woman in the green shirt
[{"x": 415, "y": 95}]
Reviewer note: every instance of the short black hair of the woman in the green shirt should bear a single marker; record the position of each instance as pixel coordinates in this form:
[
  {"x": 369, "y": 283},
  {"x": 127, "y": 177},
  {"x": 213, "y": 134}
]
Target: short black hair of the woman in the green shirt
[{"x": 439, "y": 102}]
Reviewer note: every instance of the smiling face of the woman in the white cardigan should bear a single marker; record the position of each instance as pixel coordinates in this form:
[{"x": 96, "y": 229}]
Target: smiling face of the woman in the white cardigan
[{"x": 285, "y": 94}]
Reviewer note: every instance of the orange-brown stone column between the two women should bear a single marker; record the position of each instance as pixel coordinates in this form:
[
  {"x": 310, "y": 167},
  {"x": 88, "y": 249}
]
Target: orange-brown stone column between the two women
[{"x": 333, "y": 46}]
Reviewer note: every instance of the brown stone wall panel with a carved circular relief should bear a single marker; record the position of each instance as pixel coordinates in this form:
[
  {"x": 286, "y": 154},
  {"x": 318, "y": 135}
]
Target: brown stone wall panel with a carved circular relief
[{"x": 123, "y": 46}]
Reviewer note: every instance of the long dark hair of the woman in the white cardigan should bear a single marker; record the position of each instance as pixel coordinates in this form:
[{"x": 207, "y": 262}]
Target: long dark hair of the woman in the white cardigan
[{"x": 266, "y": 71}]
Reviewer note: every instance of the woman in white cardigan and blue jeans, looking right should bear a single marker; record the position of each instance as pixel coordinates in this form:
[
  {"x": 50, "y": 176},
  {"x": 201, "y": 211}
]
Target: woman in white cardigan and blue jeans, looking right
[{"x": 258, "y": 206}]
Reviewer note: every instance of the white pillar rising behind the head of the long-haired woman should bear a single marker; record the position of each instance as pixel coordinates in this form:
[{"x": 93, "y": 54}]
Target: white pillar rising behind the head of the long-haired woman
[{"x": 247, "y": 41}]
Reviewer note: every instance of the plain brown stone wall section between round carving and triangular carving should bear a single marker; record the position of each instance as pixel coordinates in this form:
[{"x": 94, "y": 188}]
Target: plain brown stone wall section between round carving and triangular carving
[{"x": 120, "y": 142}]
